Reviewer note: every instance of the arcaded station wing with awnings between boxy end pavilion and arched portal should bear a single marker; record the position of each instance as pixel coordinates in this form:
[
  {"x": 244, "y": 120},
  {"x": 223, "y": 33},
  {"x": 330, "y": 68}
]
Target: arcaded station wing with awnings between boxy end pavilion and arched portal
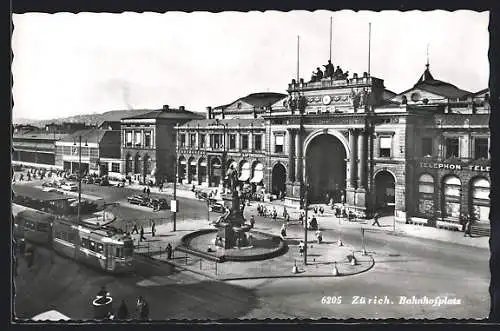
[{"x": 231, "y": 135}]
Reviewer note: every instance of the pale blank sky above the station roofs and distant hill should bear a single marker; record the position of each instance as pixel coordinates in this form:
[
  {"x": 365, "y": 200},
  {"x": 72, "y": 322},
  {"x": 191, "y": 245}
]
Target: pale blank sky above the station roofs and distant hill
[{"x": 67, "y": 64}]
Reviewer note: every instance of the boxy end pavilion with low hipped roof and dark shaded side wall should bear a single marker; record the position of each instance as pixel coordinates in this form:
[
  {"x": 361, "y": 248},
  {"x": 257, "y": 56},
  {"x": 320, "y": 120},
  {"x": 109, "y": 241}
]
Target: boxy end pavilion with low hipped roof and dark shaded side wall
[{"x": 148, "y": 143}]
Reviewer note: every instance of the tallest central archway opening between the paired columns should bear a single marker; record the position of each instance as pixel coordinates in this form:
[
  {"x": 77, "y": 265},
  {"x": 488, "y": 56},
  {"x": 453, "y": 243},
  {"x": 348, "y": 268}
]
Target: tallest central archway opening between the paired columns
[{"x": 325, "y": 167}]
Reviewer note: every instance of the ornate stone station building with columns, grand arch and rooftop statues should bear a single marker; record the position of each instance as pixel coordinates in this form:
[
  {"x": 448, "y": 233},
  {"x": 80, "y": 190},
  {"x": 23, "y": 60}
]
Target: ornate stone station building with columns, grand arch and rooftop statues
[{"x": 422, "y": 154}]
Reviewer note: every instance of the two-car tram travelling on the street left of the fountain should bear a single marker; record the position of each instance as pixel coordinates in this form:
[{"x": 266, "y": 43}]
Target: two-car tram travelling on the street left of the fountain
[{"x": 106, "y": 248}]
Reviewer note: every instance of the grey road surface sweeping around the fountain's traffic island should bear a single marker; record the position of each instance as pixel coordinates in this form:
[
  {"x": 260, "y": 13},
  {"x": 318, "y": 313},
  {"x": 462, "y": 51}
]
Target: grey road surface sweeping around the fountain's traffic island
[{"x": 404, "y": 266}]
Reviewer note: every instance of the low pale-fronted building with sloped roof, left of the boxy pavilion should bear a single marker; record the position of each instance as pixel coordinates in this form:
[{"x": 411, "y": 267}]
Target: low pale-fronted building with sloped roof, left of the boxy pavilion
[{"x": 100, "y": 152}]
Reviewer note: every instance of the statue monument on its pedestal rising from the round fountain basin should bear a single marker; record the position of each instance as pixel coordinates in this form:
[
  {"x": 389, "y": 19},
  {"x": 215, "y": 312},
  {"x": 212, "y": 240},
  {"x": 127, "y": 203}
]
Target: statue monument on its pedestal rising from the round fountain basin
[{"x": 232, "y": 230}]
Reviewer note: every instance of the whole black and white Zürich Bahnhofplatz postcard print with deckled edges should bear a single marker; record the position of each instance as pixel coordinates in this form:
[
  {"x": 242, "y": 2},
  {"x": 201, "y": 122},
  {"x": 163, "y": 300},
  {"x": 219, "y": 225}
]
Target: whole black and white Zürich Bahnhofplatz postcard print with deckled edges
[{"x": 250, "y": 165}]
